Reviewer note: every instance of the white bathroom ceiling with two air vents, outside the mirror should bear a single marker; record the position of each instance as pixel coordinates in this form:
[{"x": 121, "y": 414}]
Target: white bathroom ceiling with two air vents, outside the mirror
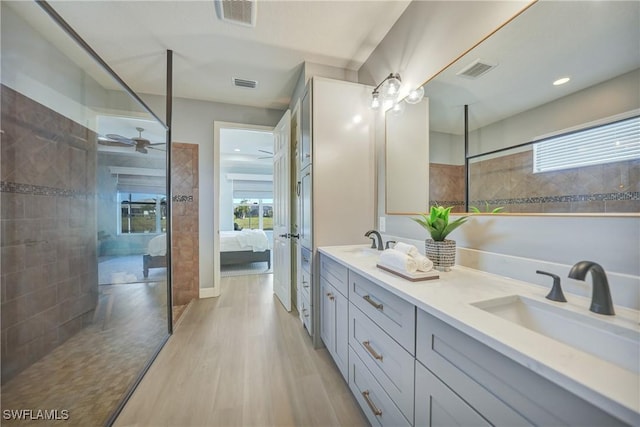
[{"x": 133, "y": 36}]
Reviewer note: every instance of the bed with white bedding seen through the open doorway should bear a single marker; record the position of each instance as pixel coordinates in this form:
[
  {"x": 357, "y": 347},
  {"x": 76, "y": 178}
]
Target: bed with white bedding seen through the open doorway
[{"x": 243, "y": 247}]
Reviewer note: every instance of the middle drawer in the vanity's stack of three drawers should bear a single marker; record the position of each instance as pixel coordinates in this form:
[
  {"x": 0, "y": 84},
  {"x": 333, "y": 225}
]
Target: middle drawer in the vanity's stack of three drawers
[{"x": 387, "y": 361}]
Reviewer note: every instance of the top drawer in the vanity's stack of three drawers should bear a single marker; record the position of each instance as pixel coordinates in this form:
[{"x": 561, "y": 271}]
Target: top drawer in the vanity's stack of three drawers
[{"x": 393, "y": 314}]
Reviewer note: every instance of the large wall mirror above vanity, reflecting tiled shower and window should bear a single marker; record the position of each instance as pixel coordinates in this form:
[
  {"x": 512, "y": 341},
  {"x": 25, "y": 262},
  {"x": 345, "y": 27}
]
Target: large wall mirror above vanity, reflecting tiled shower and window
[{"x": 536, "y": 147}]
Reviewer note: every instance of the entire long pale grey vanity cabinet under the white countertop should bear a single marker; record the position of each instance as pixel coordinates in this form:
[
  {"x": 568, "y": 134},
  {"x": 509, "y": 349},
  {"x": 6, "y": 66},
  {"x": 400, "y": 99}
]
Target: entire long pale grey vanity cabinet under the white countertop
[{"x": 408, "y": 367}]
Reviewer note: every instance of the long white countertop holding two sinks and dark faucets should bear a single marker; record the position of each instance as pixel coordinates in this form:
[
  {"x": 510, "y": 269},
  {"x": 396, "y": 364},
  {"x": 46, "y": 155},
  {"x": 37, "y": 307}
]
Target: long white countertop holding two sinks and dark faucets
[{"x": 450, "y": 298}]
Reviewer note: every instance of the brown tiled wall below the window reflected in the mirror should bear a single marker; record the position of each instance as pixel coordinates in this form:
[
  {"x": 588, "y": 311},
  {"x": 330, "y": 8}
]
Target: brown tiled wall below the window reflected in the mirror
[{"x": 509, "y": 181}]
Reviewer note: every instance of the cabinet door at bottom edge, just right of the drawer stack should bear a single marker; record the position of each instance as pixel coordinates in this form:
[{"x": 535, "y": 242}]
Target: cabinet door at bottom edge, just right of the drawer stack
[{"x": 436, "y": 405}]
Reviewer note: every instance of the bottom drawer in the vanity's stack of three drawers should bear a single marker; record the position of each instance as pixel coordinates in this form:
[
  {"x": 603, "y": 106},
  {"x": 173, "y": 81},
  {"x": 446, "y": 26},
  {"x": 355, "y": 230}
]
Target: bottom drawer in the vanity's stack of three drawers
[{"x": 375, "y": 403}]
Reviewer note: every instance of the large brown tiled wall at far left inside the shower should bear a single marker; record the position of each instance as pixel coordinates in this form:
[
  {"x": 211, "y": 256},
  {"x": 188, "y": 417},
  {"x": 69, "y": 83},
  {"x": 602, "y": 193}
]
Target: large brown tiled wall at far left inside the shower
[{"x": 49, "y": 283}]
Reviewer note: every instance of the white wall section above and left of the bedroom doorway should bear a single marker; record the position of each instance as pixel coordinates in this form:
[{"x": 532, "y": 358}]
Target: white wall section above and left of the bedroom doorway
[{"x": 193, "y": 123}]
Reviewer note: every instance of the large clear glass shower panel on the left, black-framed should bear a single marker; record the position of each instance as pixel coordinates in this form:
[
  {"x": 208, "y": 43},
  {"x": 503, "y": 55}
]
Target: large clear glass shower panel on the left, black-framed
[{"x": 84, "y": 207}]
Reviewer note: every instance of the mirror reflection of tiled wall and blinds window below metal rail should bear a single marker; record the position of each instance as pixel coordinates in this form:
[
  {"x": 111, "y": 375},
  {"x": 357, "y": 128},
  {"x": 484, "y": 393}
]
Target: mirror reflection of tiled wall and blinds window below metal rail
[{"x": 594, "y": 169}]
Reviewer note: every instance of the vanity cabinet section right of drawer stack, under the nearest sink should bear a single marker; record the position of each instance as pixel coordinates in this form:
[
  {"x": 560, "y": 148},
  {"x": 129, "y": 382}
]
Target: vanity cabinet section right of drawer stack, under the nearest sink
[{"x": 462, "y": 378}]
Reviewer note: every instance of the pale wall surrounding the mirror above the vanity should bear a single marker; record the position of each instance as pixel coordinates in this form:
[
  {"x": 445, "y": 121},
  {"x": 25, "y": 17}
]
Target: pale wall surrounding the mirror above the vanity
[{"x": 428, "y": 37}]
